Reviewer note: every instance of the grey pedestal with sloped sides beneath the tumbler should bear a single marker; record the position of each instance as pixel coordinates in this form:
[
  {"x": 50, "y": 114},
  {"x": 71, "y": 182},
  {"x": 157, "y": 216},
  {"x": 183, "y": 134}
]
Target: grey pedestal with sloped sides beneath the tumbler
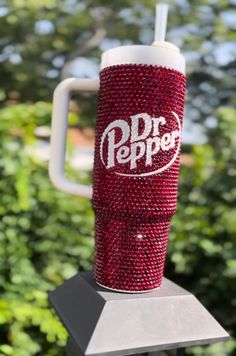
[{"x": 106, "y": 323}]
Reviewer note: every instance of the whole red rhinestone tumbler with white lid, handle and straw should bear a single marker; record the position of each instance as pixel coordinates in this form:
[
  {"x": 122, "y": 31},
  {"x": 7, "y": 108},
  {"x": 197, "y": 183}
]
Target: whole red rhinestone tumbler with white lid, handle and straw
[{"x": 136, "y": 163}]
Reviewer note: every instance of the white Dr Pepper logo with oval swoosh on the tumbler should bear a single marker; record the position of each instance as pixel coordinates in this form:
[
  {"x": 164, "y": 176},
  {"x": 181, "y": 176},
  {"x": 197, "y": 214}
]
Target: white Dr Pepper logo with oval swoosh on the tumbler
[{"x": 143, "y": 146}]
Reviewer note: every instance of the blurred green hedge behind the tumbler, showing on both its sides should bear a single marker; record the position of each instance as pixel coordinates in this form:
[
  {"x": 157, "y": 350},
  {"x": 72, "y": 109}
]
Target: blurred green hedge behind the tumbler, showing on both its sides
[{"x": 47, "y": 236}]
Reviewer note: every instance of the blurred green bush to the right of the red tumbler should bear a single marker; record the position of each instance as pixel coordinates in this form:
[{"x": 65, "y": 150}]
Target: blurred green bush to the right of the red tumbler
[{"x": 202, "y": 249}]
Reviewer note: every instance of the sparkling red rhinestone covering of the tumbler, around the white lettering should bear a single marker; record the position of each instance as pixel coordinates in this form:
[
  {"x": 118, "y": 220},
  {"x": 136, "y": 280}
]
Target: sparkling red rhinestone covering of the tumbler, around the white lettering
[{"x": 133, "y": 211}]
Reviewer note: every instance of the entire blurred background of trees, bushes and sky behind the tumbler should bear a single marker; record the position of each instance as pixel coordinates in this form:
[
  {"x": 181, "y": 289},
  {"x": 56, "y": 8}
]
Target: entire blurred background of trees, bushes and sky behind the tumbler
[{"x": 47, "y": 236}]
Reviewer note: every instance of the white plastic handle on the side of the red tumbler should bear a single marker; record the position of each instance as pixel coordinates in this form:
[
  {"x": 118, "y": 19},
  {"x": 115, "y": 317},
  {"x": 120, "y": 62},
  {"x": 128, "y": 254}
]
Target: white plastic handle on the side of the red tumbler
[{"x": 59, "y": 131}]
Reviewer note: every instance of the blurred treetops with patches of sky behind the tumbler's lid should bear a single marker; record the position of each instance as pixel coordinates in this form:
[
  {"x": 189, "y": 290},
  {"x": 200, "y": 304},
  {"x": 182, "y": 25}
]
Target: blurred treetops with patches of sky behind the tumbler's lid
[{"x": 40, "y": 38}]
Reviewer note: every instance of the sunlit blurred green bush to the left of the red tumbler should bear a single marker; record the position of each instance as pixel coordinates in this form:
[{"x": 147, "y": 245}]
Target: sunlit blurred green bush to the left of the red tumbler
[{"x": 46, "y": 237}]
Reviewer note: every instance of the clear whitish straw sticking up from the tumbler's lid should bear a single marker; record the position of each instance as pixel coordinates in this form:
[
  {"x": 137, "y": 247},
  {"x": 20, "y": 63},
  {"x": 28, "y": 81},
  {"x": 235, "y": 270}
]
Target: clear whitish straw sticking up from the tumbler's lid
[{"x": 161, "y": 21}]
